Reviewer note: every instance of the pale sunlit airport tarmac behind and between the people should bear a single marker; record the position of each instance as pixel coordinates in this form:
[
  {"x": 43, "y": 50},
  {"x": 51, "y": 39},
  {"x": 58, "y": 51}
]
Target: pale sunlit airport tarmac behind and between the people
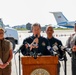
[{"x": 60, "y": 34}]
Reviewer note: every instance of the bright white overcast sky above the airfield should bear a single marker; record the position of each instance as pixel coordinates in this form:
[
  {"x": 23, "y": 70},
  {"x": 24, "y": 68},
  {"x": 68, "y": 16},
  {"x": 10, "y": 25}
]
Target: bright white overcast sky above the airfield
[{"x": 18, "y": 12}]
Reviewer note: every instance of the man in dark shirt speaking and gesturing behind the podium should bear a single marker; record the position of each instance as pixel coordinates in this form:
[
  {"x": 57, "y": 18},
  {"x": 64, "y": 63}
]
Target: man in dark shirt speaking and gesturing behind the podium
[{"x": 35, "y": 43}]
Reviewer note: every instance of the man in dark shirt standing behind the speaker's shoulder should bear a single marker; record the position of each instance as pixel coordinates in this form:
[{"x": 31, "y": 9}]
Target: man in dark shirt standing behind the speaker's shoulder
[{"x": 53, "y": 41}]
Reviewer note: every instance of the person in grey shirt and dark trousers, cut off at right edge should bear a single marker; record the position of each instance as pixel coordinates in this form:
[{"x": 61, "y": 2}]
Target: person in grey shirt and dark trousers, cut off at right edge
[{"x": 71, "y": 43}]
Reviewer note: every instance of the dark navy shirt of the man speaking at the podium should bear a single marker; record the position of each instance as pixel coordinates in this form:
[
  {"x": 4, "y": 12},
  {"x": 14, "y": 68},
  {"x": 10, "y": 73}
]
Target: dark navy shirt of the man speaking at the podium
[{"x": 42, "y": 45}]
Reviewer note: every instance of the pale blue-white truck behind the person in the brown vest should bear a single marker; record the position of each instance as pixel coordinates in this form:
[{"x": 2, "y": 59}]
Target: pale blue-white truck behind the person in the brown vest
[{"x": 10, "y": 34}]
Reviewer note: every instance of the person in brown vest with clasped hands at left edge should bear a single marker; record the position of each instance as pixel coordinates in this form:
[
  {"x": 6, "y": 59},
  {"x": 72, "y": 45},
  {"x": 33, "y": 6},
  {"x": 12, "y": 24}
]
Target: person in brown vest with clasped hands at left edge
[{"x": 5, "y": 55}]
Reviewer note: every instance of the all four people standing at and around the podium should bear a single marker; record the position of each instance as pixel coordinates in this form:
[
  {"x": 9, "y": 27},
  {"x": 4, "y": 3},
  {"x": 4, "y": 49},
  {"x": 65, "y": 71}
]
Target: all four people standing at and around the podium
[{"x": 37, "y": 45}]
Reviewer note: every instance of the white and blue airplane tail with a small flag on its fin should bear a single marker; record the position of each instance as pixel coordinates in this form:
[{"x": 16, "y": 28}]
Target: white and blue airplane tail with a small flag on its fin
[{"x": 62, "y": 20}]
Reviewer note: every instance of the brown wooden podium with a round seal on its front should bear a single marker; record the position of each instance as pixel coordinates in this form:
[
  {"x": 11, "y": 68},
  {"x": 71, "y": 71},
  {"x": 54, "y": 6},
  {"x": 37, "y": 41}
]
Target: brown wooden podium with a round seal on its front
[{"x": 43, "y": 65}]
